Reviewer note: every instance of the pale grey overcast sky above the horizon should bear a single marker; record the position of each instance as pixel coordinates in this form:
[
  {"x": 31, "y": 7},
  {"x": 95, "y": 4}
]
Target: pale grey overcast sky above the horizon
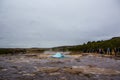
[{"x": 50, "y": 23}]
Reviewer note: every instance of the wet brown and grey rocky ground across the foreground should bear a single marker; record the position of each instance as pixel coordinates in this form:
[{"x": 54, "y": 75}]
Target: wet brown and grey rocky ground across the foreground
[{"x": 43, "y": 67}]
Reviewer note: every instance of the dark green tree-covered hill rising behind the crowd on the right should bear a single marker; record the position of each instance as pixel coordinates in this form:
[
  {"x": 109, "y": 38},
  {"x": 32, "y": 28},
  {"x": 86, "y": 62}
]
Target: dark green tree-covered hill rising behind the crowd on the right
[{"x": 104, "y": 44}]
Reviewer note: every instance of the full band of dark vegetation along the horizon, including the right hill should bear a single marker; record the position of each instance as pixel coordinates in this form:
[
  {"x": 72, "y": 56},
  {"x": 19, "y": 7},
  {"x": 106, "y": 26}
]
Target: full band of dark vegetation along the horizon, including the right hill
[{"x": 90, "y": 46}]
